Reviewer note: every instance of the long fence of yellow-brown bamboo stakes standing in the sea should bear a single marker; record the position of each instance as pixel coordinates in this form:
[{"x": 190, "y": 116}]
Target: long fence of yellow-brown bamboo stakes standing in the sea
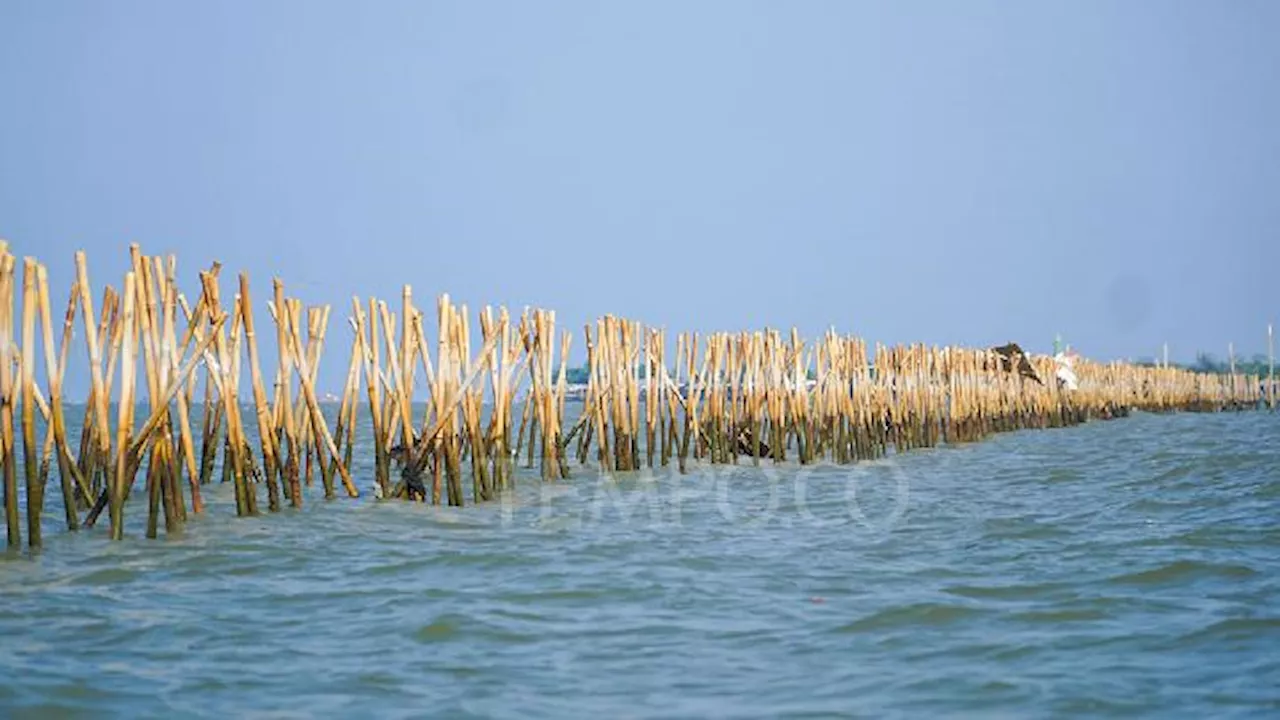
[{"x": 723, "y": 398}]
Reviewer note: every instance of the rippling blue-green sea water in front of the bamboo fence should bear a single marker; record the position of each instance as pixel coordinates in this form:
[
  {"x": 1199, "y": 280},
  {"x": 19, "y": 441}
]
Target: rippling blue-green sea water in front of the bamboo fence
[{"x": 1126, "y": 568}]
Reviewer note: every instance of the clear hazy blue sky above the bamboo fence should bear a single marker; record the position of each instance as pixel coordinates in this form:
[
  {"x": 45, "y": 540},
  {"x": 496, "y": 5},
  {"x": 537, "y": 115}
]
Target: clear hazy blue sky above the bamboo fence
[{"x": 944, "y": 172}]
